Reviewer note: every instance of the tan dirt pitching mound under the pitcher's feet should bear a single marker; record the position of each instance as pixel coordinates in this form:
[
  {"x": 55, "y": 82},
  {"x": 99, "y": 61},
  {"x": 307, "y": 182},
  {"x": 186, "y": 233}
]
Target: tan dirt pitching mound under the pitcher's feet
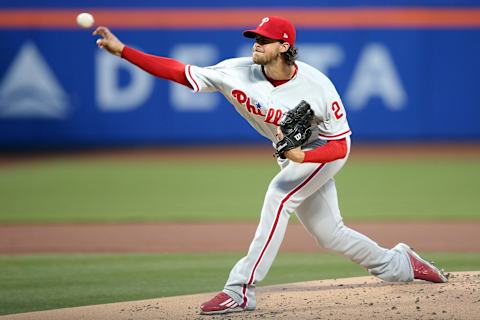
[{"x": 350, "y": 298}]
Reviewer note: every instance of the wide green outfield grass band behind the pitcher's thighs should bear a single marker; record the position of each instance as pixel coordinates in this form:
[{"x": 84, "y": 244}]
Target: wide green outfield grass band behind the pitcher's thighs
[{"x": 119, "y": 190}]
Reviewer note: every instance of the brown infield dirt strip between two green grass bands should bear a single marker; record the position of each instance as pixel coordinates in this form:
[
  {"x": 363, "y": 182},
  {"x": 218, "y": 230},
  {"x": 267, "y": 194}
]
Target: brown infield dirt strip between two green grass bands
[{"x": 162, "y": 237}]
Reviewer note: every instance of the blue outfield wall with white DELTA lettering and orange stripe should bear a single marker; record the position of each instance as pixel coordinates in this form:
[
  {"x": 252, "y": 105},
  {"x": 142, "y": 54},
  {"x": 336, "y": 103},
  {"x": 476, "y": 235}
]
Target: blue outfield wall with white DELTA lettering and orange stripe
[{"x": 408, "y": 81}]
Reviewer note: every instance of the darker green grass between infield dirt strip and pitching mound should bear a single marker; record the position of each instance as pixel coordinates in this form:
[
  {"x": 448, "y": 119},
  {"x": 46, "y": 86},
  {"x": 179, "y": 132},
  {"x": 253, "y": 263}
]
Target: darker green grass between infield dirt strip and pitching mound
[{"x": 43, "y": 282}]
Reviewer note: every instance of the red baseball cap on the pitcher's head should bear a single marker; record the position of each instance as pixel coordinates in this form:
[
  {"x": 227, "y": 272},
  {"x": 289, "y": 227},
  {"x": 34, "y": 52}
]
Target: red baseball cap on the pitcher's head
[{"x": 273, "y": 27}]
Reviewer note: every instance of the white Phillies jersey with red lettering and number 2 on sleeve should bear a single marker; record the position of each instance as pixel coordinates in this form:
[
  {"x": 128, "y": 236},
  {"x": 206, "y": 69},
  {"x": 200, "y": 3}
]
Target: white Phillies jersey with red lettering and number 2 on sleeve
[{"x": 244, "y": 84}]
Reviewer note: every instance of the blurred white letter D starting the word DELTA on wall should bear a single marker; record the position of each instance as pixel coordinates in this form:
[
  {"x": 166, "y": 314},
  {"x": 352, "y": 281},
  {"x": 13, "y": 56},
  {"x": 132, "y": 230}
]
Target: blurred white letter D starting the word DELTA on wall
[{"x": 109, "y": 95}]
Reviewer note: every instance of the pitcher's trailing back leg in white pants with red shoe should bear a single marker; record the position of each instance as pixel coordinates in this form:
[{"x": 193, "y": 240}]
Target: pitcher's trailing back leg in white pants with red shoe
[{"x": 320, "y": 215}]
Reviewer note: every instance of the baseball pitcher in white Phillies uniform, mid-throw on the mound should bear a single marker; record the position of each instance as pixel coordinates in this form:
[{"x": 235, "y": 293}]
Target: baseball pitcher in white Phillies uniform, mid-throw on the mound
[{"x": 299, "y": 110}]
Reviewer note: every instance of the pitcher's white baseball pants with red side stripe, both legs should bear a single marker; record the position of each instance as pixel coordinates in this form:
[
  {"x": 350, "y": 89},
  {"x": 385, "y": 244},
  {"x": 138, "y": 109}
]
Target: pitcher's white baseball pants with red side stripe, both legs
[{"x": 309, "y": 190}]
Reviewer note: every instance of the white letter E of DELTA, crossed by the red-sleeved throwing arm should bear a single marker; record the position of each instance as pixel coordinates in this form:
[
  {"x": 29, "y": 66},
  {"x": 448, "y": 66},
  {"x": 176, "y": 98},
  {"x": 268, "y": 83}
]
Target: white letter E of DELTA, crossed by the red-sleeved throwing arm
[{"x": 181, "y": 97}]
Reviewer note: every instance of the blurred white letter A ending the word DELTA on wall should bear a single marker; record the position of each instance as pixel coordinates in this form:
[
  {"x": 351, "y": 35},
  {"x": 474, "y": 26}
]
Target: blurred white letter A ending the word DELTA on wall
[{"x": 375, "y": 76}]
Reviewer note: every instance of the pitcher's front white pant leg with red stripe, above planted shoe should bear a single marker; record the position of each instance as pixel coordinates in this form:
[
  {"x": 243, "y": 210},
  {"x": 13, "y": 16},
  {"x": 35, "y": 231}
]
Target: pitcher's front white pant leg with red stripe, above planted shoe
[{"x": 285, "y": 193}]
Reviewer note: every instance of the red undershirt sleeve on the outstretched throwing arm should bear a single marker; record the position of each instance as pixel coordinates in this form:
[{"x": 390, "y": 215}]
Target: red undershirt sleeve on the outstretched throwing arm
[{"x": 165, "y": 68}]
